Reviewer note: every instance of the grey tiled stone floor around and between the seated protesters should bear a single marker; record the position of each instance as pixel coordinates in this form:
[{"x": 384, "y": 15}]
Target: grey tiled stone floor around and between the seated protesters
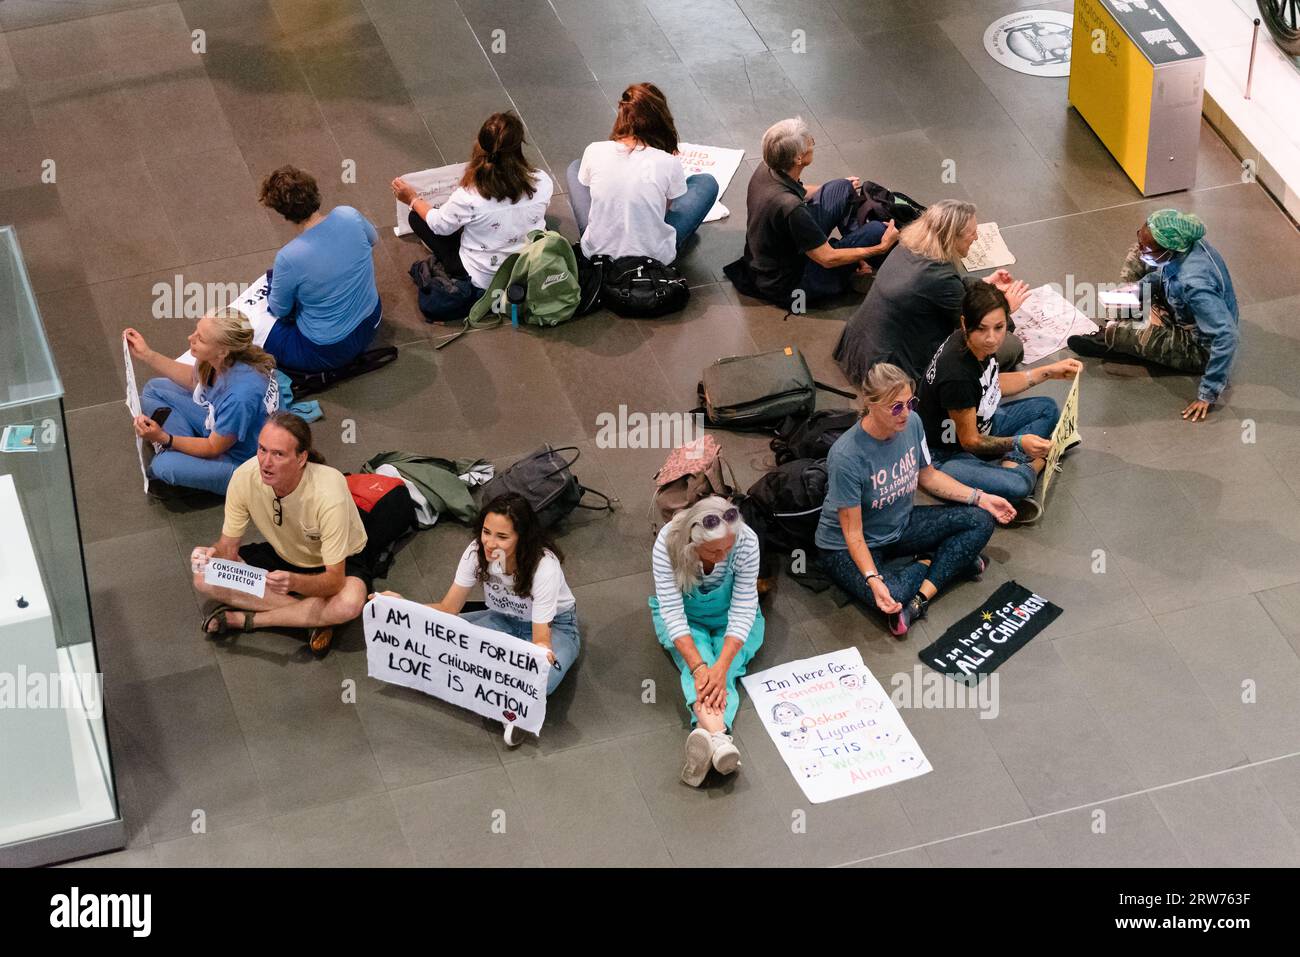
[{"x": 1133, "y": 698}]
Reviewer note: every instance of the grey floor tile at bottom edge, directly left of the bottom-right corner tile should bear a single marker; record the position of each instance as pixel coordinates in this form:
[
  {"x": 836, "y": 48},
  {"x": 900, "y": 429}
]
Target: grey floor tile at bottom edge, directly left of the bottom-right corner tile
[{"x": 1119, "y": 834}]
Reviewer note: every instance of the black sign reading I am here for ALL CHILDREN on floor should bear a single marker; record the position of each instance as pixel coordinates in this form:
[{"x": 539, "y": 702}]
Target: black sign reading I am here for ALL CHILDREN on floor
[{"x": 989, "y": 636}]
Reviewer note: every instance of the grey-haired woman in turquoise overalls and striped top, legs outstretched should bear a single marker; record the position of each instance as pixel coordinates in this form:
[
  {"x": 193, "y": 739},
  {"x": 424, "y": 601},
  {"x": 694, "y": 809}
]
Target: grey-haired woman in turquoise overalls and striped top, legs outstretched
[{"x": 707, "y": 616}]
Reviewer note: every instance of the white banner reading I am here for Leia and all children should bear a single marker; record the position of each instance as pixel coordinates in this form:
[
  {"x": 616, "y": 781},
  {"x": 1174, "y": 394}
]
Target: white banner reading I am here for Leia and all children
[{"x": 480, "y": 670}]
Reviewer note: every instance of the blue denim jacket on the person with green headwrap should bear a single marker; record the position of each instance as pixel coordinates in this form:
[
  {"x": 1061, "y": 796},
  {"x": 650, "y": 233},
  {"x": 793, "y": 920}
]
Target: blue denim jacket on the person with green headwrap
[{"x": 1199, "y": 292}]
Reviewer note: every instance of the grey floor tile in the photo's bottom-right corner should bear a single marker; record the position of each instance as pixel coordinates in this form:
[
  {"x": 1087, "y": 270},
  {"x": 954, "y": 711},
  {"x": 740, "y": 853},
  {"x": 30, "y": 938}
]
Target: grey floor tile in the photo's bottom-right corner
[{"x": 1229, "y": 821}]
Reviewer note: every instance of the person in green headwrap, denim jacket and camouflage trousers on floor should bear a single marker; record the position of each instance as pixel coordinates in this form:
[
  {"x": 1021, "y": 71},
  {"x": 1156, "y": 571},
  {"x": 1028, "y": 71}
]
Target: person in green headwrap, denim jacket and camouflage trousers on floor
[{"x": 1193, "y": 326}]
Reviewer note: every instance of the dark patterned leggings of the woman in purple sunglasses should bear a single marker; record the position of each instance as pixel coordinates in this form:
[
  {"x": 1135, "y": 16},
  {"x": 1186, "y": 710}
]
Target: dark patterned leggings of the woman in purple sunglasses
[{"x": 952, "y": 536}]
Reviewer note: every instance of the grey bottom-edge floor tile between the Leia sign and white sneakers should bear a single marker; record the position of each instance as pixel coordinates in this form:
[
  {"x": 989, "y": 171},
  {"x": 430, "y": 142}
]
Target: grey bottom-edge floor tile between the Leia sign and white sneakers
[{"x": 583, "y": 807}]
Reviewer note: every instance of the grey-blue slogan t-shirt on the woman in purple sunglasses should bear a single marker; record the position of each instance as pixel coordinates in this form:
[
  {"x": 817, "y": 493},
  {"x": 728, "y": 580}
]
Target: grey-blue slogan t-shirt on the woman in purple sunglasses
[{"x": 879, "y": 477}]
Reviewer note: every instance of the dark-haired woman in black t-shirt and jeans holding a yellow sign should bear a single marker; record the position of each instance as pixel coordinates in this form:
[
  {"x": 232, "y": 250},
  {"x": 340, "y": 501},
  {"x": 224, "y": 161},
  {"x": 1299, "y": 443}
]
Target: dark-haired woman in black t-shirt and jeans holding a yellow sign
[{"x": 973, "y": 435}]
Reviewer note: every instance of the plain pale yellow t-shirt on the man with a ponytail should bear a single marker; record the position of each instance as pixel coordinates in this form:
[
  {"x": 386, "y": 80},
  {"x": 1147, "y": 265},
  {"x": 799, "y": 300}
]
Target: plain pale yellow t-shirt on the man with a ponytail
[{"x": 319, "y": 521}]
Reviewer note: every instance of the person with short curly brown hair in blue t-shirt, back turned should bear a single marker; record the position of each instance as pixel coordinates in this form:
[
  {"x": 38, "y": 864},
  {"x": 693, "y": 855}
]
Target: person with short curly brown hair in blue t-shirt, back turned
[{"x": 323, "y": 291}]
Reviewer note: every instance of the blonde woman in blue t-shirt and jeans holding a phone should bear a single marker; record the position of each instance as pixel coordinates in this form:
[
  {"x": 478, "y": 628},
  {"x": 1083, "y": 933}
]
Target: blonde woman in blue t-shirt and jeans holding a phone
[{"x": 205, "y": 418}]
